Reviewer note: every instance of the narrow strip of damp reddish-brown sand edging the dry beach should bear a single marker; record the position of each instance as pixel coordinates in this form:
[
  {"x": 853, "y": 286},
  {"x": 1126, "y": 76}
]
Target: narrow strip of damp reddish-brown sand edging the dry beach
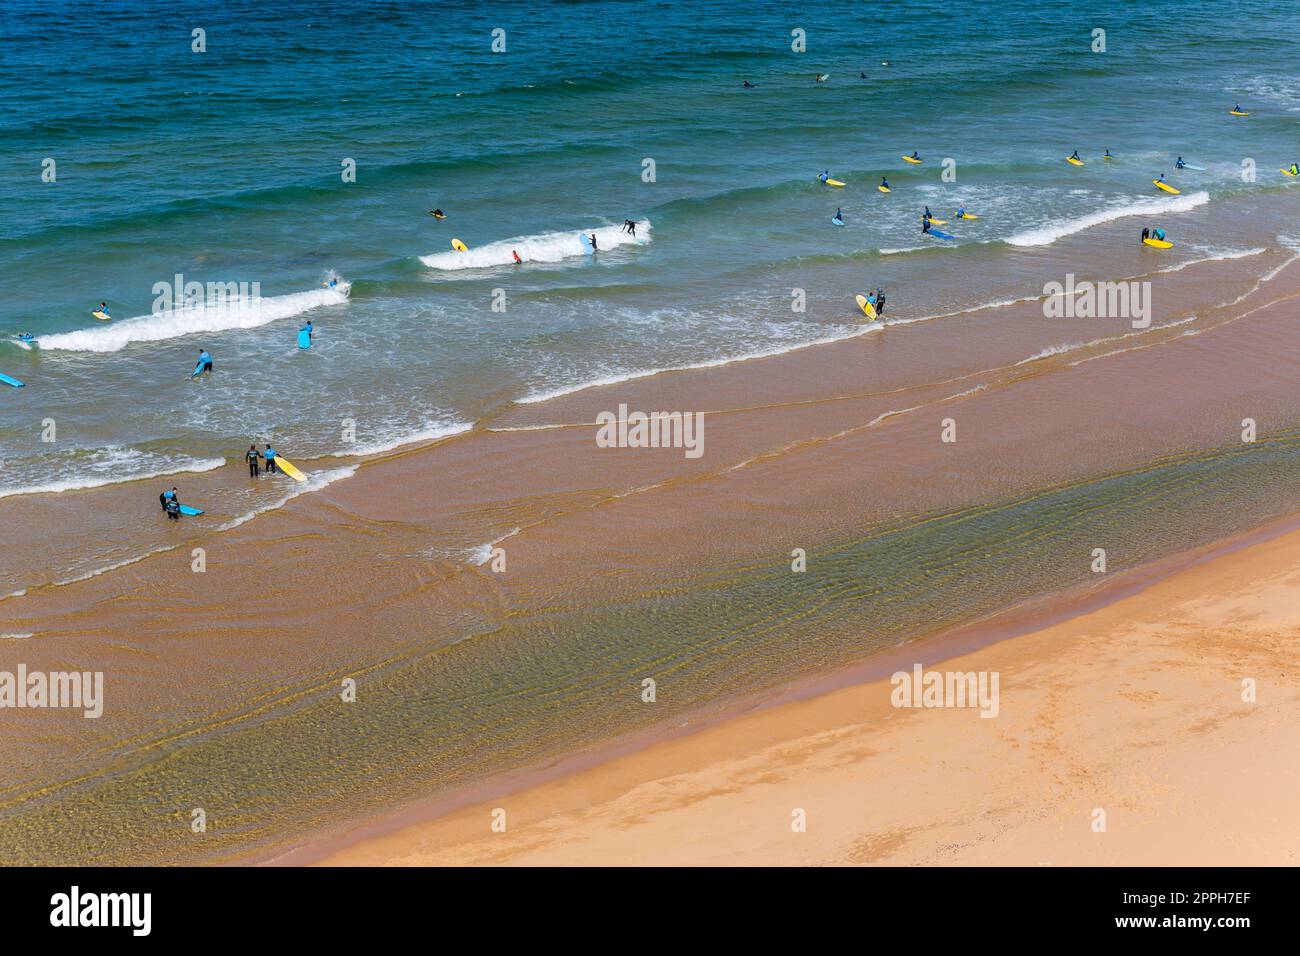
[{"x": 1028, "y": 618}]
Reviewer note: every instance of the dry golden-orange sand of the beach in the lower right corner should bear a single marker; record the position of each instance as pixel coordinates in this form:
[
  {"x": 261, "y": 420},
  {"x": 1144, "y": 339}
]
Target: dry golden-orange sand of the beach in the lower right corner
[{"x": 1136, "y": 711}]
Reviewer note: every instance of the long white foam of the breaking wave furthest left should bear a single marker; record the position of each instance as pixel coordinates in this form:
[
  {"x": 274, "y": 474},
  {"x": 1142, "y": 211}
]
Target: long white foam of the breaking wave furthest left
[{"x": 158, "y": 327}]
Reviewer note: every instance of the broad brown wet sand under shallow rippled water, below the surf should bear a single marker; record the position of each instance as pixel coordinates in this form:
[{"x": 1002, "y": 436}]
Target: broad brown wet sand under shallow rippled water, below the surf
[{"x": 623, "y": 564}]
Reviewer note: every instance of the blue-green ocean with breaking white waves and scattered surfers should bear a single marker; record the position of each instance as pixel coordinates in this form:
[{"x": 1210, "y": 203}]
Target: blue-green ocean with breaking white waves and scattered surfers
[{"x": 226, "y": 167}]
